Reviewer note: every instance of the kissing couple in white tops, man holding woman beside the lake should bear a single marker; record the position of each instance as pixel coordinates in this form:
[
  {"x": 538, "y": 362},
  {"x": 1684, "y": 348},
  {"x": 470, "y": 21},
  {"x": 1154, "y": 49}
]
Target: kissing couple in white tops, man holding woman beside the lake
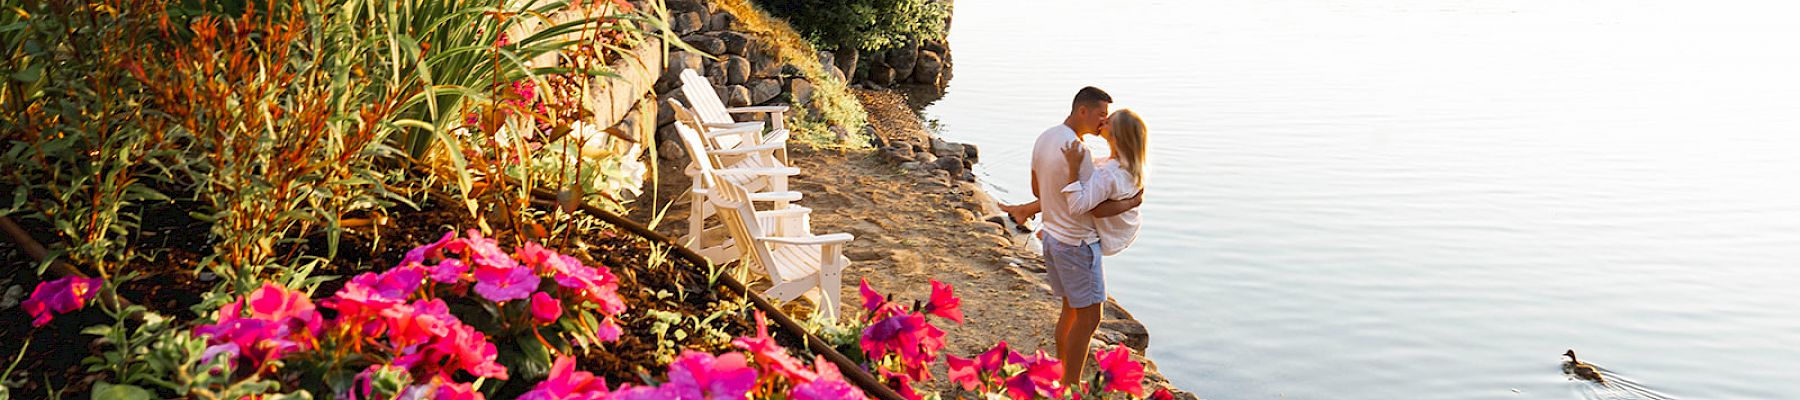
[{"x": 1090, "y": 208}]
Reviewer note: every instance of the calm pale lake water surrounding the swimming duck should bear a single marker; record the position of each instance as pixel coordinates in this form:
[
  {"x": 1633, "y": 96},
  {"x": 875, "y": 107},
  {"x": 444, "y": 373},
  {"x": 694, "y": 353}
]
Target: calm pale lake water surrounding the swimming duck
[{"x": 1430, "y": 199}]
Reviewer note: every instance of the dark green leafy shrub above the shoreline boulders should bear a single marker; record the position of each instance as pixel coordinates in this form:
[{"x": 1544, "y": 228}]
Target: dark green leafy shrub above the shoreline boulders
[{"x": 863, "y": 24}]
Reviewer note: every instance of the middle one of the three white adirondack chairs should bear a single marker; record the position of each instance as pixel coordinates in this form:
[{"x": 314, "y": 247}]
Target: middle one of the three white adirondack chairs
[{"x": 748, "y": 170}]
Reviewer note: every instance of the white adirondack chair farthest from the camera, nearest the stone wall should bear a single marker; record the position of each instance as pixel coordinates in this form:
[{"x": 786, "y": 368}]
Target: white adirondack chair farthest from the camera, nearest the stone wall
[{"x": 717, "y": 116}]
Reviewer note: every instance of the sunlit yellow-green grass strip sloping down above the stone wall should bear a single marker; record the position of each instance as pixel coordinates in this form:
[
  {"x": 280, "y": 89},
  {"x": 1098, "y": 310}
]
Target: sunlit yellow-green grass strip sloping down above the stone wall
[{"x": 831, "y": 95}]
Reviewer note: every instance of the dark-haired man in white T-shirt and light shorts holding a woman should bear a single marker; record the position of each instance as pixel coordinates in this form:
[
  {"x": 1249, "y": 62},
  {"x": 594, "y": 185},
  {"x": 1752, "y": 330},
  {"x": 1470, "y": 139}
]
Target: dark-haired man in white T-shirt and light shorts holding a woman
[{"x": 1072, "y": 246}]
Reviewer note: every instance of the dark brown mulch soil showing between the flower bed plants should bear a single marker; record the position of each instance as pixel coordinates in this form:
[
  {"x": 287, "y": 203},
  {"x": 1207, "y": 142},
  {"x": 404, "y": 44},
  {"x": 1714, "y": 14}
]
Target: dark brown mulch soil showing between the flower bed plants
[{"x": 170, "y": 286}]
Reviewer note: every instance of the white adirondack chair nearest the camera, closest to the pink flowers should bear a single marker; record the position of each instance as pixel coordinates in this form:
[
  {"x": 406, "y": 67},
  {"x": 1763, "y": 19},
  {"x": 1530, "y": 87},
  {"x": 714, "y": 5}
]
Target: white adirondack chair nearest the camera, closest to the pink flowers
[{"x": 798, "y": 264}]
